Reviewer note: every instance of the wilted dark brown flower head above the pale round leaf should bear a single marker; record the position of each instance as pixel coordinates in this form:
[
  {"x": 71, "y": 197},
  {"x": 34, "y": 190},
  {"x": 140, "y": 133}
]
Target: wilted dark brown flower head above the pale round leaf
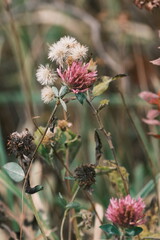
[{"x": 21, "y": 144}]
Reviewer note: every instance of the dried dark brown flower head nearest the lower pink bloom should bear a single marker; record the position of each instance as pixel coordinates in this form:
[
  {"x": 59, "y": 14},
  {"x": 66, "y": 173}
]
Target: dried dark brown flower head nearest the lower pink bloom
[{"x": 85, "y": 175}]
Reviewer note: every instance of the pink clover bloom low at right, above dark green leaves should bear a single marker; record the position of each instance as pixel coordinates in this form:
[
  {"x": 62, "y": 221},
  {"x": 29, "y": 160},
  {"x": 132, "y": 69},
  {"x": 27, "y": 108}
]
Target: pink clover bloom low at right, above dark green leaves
[{"x": 126, "y": 212}]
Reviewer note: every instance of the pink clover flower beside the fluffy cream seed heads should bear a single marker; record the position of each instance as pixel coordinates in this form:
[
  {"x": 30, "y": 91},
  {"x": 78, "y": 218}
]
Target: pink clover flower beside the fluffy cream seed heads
[{"x": 77, "y": 77}]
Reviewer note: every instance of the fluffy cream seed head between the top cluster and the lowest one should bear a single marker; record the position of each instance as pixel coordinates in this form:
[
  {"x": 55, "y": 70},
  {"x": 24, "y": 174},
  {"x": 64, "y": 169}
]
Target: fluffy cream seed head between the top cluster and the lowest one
[{"x": 45, "y": 75}]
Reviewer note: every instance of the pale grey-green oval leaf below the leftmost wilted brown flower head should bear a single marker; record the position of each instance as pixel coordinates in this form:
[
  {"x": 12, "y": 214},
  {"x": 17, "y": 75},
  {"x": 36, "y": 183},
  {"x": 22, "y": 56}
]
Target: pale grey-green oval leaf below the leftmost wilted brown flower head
[{"x": 15, "y": 171}]
